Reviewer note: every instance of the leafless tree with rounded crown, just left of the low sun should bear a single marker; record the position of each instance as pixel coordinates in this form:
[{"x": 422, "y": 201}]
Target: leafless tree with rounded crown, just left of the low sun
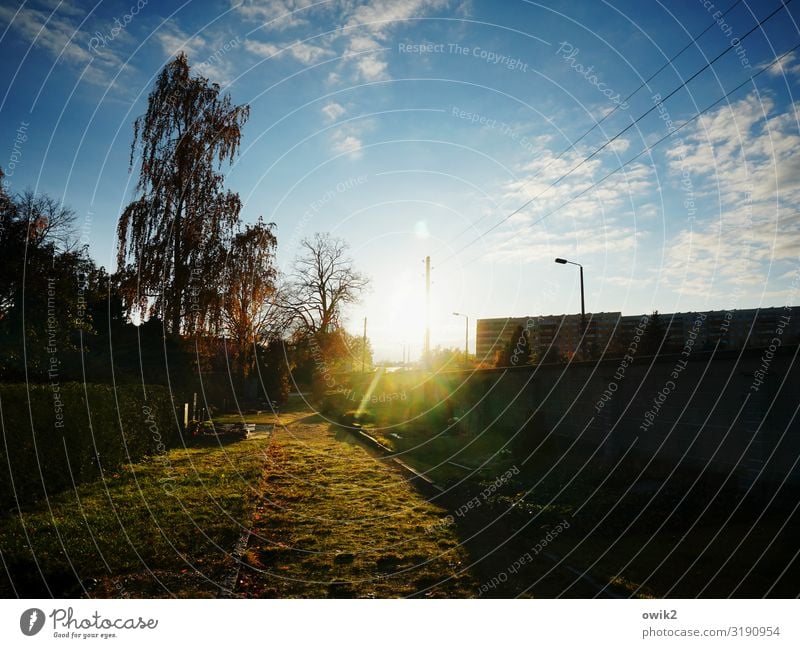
[{"x": 323, "y": 281}]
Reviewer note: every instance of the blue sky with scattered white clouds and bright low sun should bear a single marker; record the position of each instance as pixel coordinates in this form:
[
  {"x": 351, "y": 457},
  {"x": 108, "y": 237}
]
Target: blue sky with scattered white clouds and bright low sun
[{"x": 484, "y": 134}]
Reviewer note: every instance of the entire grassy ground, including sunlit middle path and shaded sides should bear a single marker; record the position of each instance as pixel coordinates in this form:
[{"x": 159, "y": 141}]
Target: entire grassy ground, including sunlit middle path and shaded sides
[{"x": 329, "y": 519}]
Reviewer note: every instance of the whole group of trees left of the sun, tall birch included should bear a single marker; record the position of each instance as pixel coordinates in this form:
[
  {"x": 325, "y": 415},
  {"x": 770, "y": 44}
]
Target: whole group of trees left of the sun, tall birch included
[{"x": 202, "y": 286}]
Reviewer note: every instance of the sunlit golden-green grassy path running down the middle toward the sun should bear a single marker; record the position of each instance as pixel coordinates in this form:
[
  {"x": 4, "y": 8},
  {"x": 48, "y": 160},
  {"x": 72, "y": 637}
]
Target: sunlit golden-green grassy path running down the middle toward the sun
[{"x": 338, "y": 522}]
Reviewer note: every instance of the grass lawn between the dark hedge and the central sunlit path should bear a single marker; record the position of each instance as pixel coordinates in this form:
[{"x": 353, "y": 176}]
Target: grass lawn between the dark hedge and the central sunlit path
[{"x": 163, "y": 527}]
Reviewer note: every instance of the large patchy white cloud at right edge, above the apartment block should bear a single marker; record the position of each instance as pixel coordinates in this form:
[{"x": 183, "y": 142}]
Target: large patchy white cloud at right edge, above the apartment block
[{"x": 744, "y": 157}]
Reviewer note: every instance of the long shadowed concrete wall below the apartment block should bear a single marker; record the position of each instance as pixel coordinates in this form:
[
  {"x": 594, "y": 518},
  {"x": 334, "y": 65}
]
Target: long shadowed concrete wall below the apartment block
[{"x": 729, "y": 411}]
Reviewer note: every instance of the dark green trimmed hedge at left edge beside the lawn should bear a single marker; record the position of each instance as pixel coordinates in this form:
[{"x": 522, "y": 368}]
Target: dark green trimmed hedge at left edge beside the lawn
[{"x": 51, "y": 437}]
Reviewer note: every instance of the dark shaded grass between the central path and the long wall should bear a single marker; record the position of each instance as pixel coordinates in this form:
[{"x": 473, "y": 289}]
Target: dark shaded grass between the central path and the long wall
[{"x": 641, "y": 542}]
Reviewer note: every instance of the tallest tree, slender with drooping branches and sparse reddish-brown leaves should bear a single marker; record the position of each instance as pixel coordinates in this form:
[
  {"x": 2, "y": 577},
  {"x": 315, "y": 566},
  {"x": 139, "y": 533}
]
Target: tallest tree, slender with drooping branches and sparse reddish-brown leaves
[{"x": 173, "y": 234}]
